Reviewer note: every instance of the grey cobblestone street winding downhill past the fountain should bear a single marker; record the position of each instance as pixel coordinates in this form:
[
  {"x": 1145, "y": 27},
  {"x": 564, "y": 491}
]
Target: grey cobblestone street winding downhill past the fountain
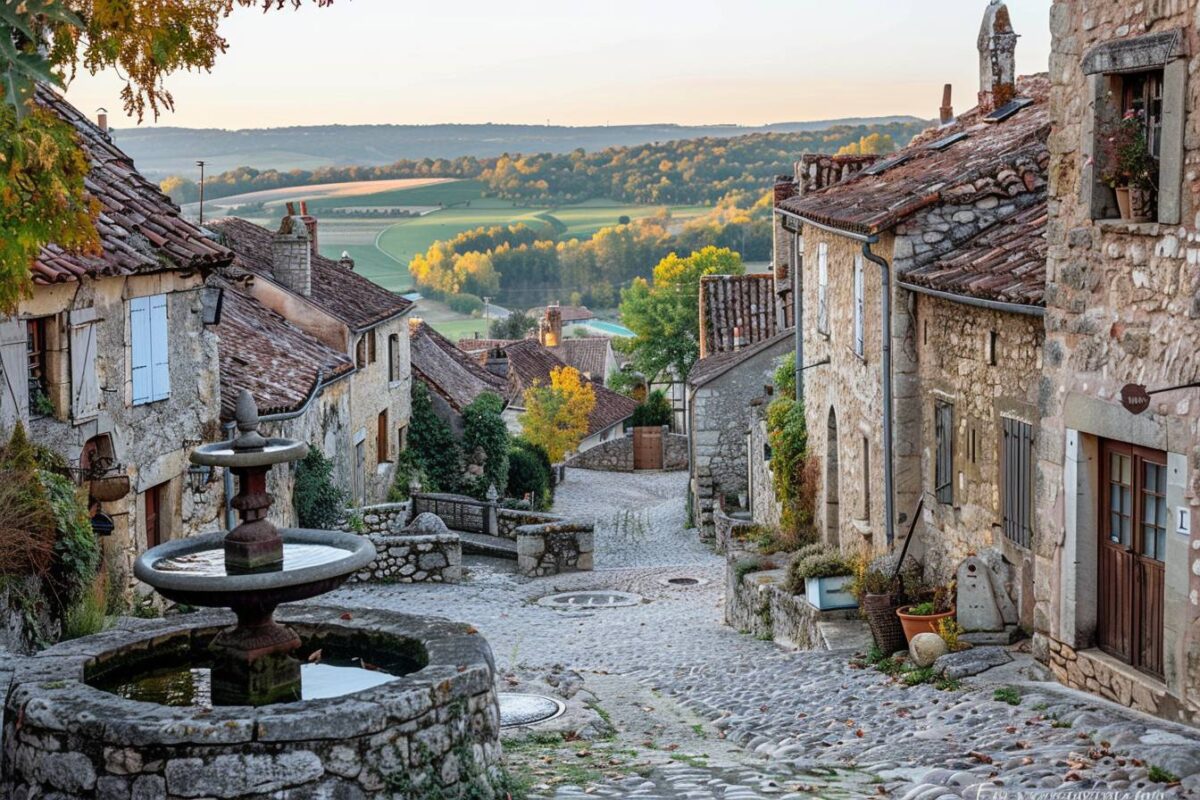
[{"x": 704, "y": 712}]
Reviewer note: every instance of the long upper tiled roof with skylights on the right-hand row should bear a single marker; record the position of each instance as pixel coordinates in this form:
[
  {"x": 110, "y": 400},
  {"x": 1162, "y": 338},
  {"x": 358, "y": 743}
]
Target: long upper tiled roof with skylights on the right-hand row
[{"x": 1000, "y": 160}]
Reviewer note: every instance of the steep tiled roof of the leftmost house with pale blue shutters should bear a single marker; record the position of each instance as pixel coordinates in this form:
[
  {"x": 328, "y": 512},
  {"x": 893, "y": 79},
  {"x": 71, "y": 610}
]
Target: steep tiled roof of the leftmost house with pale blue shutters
[{"x": 141, "y": 230}]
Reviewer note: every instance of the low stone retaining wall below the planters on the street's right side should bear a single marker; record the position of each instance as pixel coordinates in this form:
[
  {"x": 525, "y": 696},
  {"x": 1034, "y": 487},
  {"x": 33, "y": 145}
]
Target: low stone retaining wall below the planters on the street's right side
[{"x": 759, "y": 604}]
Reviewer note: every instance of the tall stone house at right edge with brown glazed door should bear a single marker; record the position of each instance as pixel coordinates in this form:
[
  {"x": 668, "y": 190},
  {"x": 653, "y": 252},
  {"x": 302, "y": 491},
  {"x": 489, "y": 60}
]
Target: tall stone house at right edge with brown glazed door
[{"x": 1118, "y": 545}]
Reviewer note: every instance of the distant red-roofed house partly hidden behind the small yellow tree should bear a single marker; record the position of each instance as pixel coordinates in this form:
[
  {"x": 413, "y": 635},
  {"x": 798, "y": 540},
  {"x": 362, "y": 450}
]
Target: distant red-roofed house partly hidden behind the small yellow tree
[{"x": 527, "y": 364}]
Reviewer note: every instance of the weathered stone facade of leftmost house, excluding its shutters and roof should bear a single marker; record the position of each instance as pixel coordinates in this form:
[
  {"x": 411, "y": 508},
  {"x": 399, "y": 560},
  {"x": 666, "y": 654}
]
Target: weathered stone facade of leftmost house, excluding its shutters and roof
[{"x": 149, "y": 442}]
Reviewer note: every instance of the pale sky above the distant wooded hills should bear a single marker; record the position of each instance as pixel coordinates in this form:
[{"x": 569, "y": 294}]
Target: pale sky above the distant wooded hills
[{"x": 585, "y": 63}]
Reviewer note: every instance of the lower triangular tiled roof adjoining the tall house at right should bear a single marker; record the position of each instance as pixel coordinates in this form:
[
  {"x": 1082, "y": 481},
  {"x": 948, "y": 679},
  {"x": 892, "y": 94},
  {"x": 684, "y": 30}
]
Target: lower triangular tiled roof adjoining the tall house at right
[{"x": 1006, "y": 262}]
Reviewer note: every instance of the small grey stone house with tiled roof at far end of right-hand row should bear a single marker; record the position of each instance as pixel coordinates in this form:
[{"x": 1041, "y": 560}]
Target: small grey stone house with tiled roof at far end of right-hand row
[{"x": 745, "y": 330}]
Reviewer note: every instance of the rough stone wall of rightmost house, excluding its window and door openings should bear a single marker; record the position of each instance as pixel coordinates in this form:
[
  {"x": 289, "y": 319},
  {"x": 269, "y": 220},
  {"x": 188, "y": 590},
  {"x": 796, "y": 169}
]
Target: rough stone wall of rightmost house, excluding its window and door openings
[{"x": 1123, "y": 308}]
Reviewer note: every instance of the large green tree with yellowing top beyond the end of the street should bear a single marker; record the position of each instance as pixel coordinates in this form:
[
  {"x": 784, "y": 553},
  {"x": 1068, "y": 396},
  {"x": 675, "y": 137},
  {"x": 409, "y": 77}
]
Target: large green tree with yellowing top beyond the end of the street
[{"x": 665, "y": 316}]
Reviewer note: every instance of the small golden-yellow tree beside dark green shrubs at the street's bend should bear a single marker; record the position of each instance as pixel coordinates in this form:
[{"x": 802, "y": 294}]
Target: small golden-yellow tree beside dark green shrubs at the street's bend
[{"x": 556, "y": 417}]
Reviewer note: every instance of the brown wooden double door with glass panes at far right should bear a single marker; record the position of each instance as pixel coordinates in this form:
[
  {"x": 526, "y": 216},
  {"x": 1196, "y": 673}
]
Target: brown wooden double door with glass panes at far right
[{"x": 1132, "y": 544}]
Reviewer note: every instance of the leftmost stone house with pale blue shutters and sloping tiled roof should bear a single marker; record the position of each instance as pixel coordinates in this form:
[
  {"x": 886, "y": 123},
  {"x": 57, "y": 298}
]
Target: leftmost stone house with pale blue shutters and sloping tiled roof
[{"x": 112, "y": 360}]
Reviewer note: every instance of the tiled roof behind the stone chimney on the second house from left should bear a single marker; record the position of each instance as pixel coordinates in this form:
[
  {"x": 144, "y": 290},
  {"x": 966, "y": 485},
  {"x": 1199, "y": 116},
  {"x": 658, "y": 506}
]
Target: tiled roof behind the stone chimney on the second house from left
[{"x": 341, "y": 293}]
